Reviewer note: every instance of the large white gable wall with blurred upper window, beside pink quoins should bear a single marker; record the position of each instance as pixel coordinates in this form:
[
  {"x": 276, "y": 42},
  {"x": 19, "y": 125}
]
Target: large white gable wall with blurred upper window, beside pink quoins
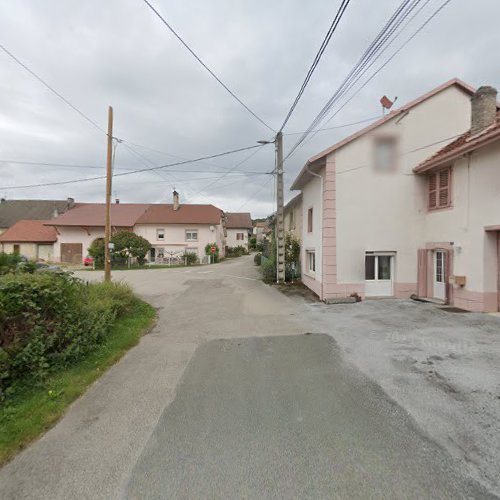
[{"x": 383, "y": 211}]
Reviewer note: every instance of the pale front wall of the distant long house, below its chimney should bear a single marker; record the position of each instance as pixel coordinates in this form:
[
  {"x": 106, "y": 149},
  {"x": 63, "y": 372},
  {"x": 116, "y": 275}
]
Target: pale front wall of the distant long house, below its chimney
[{"x": 175, "y": 236}]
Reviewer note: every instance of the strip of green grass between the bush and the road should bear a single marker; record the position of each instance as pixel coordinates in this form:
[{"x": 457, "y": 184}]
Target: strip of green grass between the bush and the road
[{"x": 33, "y": 411}]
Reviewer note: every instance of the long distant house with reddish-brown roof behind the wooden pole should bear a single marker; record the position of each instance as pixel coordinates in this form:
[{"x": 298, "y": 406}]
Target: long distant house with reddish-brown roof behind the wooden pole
[{"x": 172, "y": 229}]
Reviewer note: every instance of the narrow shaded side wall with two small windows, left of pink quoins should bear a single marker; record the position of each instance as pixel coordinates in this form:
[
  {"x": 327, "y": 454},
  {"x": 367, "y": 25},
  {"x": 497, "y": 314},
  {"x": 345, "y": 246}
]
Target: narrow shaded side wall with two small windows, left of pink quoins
[{"x": 312, "y": 198}]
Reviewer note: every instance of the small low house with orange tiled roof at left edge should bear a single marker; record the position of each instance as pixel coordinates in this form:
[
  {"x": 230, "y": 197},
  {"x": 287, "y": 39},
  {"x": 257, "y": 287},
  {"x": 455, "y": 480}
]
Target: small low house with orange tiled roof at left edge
[{"x": 31, "y": 238}]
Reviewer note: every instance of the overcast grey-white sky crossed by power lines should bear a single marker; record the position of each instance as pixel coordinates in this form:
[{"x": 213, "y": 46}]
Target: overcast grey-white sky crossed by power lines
[{"x": 117, "y": 52}]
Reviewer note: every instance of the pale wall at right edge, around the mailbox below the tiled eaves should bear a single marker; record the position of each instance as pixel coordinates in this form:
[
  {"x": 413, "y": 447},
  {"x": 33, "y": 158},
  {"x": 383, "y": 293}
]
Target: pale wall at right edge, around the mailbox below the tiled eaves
[{"x": 475, "y": 204}]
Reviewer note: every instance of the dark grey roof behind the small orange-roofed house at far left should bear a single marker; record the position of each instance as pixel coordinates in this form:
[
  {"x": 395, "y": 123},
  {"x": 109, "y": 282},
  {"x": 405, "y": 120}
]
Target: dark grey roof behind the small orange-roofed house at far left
[{"x": 12, "y": 211}]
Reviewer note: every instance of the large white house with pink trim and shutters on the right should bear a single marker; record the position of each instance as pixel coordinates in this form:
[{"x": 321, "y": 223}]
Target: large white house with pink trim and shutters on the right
[{"x": 389, "y": 212}]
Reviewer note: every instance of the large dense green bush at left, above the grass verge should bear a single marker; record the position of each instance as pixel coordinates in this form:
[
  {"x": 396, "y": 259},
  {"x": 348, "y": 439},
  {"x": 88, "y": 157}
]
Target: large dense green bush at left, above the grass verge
[{"x": 48, "y": 320}]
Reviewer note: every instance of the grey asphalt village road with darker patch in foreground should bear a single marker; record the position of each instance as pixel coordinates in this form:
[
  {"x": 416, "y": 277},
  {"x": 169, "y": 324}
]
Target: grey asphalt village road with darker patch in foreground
[{"x": 266, "y": 412}]
